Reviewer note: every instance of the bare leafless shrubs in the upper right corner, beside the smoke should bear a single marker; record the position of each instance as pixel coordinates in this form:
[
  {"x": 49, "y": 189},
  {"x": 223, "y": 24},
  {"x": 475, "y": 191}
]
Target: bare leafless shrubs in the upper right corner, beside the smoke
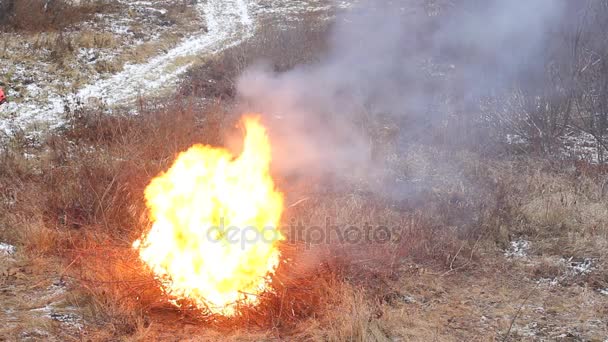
[{"x": 568, "y": 95}]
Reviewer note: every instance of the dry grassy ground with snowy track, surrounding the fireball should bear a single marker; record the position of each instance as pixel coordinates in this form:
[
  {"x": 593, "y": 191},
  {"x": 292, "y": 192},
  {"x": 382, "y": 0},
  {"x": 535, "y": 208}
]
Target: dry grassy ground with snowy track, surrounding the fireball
[{"x": 489, "y": 248}]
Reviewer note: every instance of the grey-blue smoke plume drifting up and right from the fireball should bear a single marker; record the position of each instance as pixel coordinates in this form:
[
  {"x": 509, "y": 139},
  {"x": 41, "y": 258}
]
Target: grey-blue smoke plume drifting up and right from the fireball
[{"x": 396, "y": 59}]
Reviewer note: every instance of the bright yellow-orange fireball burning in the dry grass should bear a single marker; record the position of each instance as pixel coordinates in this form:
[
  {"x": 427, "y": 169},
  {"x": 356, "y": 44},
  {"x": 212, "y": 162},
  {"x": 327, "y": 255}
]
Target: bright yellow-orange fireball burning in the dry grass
[{"x": 214, "y": 238}]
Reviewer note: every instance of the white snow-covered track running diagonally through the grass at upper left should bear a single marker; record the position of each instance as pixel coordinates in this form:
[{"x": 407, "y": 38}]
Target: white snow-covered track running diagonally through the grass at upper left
[{"x": 228, "y": 23}]
